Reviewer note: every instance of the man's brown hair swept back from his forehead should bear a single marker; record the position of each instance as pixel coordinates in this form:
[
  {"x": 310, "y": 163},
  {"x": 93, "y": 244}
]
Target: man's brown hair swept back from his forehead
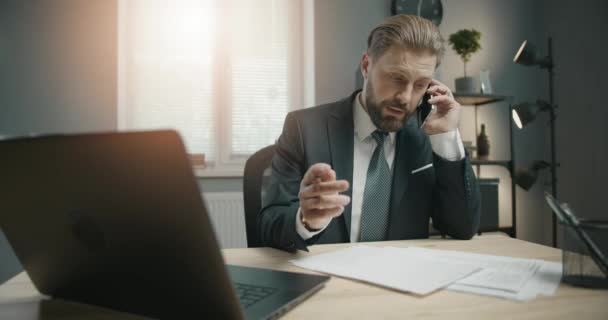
[{"x": 408, "y": 31}]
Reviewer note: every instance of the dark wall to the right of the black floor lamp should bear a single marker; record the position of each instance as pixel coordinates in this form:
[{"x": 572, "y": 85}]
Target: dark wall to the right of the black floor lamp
[{"x": 580, "y": 50}]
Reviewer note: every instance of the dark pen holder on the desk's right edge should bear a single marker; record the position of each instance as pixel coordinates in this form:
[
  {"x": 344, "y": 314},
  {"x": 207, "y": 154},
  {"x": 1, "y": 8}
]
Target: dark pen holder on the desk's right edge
[{"x": 579, "y": 269}]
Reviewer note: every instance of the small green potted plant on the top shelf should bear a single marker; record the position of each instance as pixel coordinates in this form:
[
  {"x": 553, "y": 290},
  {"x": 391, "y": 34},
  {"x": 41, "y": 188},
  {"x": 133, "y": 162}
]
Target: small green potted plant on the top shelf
[{"x": 465, "y": 43}]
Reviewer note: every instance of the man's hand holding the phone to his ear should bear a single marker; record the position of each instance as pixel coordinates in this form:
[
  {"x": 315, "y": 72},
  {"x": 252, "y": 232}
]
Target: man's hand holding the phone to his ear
[{"x": 447, "y": 116}]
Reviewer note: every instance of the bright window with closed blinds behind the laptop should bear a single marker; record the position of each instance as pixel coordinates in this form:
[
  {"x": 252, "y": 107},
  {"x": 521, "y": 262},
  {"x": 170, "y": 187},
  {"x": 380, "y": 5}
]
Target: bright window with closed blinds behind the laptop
[{"x": 224, "y": 73}]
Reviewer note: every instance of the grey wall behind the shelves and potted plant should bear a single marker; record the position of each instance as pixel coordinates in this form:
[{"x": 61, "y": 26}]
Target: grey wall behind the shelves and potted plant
[{"x": 504, "y": 25}]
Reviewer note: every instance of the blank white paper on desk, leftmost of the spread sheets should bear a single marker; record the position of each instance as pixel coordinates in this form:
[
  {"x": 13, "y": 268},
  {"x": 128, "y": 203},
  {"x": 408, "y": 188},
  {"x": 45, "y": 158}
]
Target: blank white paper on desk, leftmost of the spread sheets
[{"x": 395, "y": 268}]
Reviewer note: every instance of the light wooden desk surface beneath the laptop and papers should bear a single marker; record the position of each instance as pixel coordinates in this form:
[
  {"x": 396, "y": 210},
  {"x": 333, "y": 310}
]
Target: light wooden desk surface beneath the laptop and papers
[{"x": 347, "y": 299}]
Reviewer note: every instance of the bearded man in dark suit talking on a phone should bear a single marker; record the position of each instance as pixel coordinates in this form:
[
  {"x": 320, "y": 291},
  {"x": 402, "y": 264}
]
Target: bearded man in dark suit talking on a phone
[{"x": 370, "y": 148}]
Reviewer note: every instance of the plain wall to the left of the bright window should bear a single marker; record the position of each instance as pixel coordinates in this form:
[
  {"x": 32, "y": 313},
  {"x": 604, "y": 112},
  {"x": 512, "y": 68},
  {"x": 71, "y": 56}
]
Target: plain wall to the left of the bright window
[{"x": 57, "y": 73}]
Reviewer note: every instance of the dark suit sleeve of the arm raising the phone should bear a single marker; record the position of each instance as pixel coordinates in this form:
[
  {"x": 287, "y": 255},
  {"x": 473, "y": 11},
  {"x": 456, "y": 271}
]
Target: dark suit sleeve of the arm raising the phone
[{"x": 456, "y": 198}]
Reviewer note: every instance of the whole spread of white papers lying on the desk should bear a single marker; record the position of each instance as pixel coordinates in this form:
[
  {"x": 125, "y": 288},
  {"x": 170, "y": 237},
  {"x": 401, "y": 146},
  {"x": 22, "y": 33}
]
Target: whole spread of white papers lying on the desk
[{"x": 422, "y": 271}]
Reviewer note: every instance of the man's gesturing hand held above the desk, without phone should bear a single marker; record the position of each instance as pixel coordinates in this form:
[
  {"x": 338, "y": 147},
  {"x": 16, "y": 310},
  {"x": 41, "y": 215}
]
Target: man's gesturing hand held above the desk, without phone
[{"x": 320, "y": 198}]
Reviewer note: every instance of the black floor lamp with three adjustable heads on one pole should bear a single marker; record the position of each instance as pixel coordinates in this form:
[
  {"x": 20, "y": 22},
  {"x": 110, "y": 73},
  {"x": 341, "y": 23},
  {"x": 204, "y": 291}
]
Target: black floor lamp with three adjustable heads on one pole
[{"x": 525, "y": 113}]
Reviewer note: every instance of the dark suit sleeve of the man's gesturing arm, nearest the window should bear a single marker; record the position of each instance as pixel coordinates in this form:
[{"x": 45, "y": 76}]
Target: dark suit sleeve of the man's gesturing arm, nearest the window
[{"x": 280, "y": 203}]
